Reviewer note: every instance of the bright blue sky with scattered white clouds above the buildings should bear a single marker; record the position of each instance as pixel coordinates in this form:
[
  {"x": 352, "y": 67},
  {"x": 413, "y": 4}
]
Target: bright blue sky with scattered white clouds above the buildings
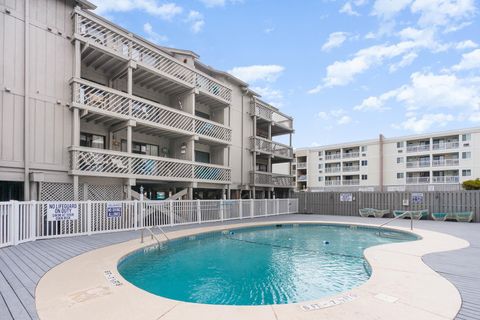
[{"x": 345, "y": 70}]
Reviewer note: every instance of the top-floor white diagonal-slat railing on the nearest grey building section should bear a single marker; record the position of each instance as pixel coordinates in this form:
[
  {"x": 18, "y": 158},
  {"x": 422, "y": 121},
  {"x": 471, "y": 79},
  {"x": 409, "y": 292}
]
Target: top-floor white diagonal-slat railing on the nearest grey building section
[{"x": 97, "y": 32}]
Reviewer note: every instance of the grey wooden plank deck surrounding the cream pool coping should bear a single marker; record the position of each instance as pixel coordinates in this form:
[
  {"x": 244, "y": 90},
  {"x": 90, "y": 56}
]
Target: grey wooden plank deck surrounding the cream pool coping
[{"x": 22, "y": 266}]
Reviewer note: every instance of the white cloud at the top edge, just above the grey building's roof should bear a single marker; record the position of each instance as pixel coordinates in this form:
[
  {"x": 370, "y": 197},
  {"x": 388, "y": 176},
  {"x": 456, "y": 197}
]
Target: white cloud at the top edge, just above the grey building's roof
[{"x": 165, "y": 11}]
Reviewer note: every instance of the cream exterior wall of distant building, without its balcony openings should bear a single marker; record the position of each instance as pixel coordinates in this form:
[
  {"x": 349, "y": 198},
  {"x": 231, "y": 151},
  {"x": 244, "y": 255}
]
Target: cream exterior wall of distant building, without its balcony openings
[{"x": 392, "y": 166}]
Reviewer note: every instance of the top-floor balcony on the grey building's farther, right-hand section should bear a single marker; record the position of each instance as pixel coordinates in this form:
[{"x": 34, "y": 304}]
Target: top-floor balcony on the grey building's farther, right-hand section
[{"x": 282, "y": 124}]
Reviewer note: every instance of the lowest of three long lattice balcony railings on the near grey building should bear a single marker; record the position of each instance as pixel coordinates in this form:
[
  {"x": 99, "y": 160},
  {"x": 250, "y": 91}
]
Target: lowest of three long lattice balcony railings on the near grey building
[{"x": 107, "y": 163}]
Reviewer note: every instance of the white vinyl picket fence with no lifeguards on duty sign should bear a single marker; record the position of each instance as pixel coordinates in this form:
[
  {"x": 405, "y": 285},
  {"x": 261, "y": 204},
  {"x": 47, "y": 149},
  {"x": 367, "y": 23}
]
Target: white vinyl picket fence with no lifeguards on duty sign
[{"x": 29, "y": 221}]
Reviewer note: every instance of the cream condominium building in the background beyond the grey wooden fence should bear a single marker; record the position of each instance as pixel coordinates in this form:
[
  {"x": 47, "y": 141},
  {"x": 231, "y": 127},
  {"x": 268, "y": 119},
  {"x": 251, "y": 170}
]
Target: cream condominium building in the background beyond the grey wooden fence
[{"x": 427, "y": 162}]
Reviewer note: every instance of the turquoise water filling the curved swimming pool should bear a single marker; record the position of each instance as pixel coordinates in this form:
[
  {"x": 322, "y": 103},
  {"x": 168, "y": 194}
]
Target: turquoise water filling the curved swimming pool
[{"x": 258, "y": 266}]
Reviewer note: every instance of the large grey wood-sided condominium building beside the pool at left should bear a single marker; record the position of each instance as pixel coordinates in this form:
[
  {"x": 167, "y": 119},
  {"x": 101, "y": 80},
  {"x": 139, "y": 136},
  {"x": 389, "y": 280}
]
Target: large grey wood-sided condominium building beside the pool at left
[{"x": 89, "y": 110}]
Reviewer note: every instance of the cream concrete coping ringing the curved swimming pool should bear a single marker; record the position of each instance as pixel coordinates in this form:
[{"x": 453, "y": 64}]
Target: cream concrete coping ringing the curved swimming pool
[{"x": 401, "y": 286}]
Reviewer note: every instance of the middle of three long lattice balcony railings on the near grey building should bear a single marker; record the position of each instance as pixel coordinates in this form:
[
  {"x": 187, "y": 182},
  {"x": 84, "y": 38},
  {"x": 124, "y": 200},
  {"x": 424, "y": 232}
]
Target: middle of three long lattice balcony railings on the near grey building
[{"x": 114, "y": 103}]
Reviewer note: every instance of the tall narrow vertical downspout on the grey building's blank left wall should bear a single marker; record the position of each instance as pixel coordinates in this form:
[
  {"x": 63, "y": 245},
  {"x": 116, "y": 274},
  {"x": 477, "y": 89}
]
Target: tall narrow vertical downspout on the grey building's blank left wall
[{"x": 26, "y": 142}]
